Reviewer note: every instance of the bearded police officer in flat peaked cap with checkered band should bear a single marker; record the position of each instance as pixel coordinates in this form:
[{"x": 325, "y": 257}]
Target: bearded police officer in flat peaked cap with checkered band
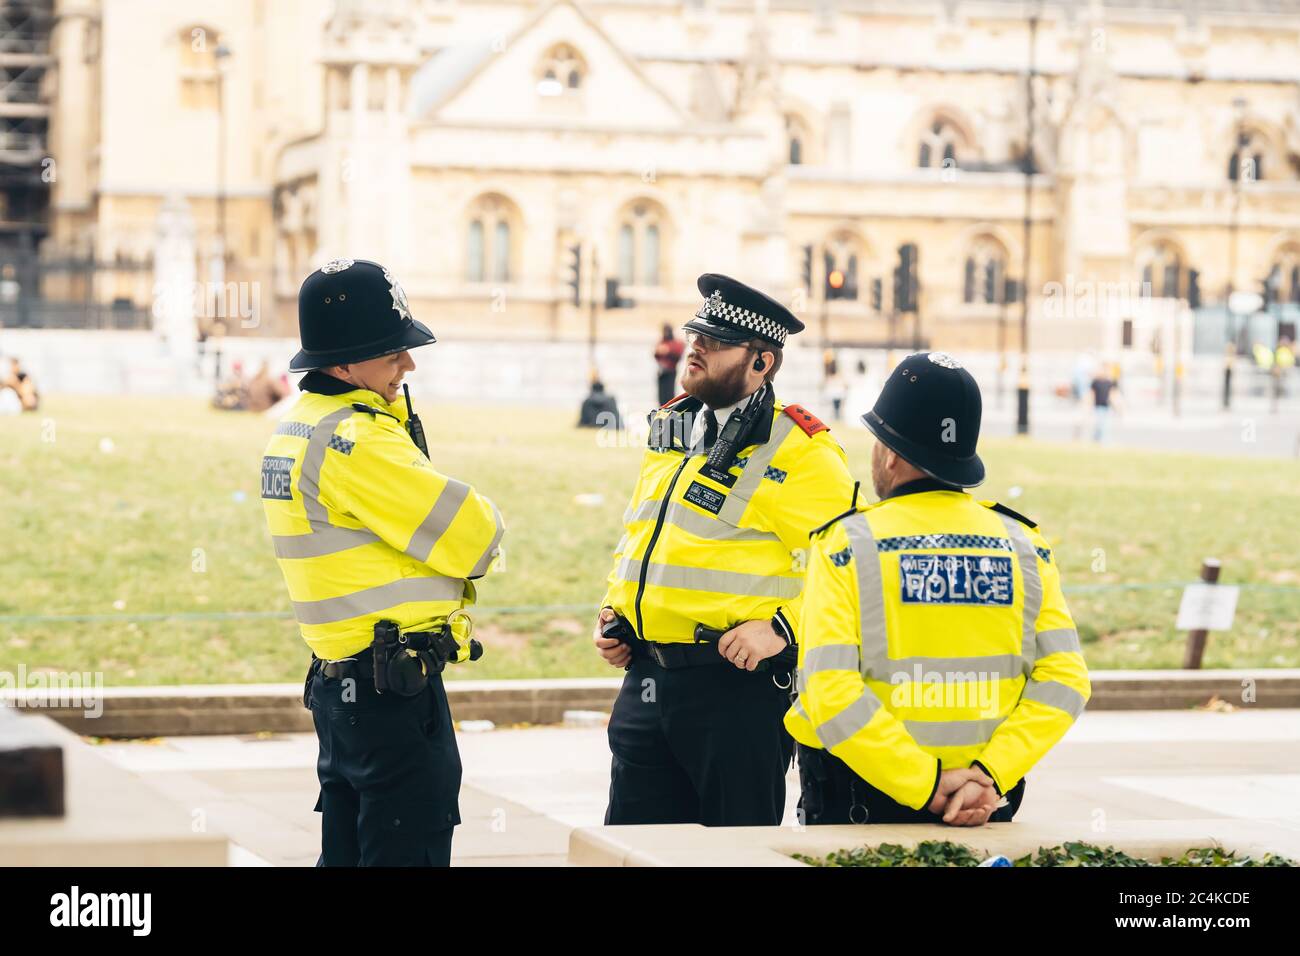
[{"x": 704, "y": 600}]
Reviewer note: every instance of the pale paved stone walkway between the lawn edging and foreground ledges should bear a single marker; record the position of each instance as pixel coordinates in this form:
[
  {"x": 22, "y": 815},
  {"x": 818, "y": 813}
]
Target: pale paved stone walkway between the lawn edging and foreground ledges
[{"x": 527, "y": 790}]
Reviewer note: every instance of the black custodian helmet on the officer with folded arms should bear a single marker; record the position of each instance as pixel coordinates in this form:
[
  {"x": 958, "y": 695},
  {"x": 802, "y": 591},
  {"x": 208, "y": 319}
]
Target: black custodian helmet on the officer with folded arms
[{"x": 353, "y": 310}]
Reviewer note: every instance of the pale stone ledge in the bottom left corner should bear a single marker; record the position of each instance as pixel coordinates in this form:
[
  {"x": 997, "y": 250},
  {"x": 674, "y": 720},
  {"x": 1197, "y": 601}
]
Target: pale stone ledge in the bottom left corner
[{"x": 111, "y": 819}]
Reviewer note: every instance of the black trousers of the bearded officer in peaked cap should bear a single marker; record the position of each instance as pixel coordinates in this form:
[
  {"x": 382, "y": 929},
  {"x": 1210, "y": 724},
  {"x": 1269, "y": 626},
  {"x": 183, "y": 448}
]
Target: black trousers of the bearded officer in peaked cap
[{"x": 699, "y": 746}]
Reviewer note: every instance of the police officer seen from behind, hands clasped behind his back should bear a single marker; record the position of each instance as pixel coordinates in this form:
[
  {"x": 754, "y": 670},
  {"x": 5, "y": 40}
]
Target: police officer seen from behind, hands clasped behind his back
[{"x": 939, "y": 663}]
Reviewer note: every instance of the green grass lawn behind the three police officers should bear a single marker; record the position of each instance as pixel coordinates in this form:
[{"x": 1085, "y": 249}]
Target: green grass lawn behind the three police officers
[{"x": 170, "y": 522}]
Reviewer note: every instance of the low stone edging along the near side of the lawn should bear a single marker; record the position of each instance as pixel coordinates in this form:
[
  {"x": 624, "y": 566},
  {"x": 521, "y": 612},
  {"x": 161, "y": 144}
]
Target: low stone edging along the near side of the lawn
[{"x": 142, "y": 712}]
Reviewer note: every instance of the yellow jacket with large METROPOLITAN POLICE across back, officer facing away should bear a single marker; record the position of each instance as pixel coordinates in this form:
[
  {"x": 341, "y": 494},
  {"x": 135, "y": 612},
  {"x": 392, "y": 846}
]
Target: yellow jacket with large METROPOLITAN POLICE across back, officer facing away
[{"x": 935, "y": 637}]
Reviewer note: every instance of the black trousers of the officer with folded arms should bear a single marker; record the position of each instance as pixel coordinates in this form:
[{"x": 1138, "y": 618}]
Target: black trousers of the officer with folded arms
[{"x": 389, "y": 772}]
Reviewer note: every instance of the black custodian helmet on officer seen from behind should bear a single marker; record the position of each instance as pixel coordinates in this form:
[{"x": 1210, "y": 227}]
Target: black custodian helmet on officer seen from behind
[{"x": 929, "y": 413}]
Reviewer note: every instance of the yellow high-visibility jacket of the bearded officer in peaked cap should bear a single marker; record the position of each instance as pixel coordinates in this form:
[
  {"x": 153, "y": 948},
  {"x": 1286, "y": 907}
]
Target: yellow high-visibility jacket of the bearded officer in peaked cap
[{"x": 726, "y": 548}]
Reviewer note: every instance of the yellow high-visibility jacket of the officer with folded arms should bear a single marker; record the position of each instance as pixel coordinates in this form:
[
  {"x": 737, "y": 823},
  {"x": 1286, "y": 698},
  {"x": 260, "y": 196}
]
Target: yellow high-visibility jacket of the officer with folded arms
[{"x": 365, "y": 527}]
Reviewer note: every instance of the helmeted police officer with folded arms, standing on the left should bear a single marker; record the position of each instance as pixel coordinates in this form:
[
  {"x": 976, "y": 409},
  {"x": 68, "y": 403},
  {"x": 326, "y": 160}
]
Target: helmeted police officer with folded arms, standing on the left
[{"x": 379, "y": 552}]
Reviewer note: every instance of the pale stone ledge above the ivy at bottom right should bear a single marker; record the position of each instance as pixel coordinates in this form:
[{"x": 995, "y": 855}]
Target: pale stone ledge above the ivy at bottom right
[{"x": 697, "y": 846}]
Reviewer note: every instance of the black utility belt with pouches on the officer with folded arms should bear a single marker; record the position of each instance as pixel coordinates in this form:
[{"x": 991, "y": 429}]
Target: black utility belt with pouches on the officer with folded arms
[{"x": 397, "y": 661}]
